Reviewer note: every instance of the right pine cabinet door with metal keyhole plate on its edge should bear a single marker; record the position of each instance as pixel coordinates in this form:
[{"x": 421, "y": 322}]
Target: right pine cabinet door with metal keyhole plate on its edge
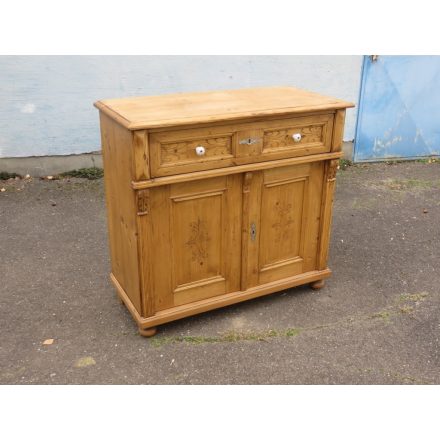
[{"x": 281, "y": 222}]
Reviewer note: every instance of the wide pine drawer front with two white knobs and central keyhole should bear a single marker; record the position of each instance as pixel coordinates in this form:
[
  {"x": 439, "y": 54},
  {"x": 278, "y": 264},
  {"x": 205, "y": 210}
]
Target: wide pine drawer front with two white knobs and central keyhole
[{"x": 175, "y": 151}]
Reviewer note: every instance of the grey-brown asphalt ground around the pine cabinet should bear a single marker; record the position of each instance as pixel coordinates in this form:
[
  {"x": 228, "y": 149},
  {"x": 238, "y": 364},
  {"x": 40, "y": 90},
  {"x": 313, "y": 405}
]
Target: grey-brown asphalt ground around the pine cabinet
[{"x": 376, "y": 321}]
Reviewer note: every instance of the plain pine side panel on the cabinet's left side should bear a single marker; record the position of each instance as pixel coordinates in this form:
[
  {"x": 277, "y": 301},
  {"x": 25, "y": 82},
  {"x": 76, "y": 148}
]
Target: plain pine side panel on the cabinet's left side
[{"x": 121, "y": 206}]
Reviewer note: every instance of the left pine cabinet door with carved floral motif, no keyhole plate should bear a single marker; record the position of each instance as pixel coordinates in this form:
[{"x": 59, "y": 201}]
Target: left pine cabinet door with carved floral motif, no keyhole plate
[{"x": 195, "y": 240}]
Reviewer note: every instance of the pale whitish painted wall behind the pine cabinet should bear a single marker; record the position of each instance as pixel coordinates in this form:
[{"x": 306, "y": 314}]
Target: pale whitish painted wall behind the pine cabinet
[{"x": 46, "y": 101}]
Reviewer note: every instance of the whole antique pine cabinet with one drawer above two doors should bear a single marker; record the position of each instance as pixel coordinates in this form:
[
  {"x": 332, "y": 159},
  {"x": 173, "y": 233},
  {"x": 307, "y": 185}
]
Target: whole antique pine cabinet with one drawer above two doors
[{"x": 215, "y": 198}]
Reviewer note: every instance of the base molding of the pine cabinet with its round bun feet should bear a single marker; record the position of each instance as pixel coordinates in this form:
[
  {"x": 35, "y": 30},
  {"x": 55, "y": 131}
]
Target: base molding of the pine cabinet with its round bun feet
[{"x": 147, "y": 326}]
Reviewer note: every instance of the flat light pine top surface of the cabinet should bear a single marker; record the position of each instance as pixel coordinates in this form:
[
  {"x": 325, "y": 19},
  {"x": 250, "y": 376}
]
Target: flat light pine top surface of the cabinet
[{"x": 223, "y": 105}]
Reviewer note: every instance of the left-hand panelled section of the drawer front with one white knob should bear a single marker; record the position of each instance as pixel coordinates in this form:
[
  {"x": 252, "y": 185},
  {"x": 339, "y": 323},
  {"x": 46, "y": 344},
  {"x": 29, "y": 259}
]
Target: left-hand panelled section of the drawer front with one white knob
[{"x": 186, "y": 151}]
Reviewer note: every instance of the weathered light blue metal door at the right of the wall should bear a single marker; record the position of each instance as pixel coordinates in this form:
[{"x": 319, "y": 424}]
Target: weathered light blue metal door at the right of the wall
[{"x": 399, "y": 108}]
